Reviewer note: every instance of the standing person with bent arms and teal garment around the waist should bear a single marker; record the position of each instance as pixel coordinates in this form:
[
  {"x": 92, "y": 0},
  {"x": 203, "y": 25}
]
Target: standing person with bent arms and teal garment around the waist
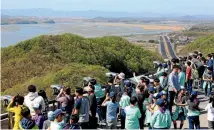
[{"x": 180, "y": 112}]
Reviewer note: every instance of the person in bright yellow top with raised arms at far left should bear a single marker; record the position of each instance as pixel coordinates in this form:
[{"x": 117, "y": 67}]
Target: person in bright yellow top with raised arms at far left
[{"x": 15, "y": 106}]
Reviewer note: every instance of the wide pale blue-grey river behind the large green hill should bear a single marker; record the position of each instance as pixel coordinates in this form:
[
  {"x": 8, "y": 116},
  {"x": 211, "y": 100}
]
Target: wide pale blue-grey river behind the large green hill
[{"x": 12, "y": 34}]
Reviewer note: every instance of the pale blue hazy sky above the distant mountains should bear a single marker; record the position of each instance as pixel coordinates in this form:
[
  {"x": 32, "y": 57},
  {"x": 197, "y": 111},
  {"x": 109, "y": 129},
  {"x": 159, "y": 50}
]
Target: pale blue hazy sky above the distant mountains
[{"x": 157, "y": 6}]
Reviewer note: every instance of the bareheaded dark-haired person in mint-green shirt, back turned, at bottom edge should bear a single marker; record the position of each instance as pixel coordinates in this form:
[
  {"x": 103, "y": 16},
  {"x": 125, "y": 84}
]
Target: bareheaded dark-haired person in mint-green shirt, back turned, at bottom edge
[{"x": 132, "y": 115}]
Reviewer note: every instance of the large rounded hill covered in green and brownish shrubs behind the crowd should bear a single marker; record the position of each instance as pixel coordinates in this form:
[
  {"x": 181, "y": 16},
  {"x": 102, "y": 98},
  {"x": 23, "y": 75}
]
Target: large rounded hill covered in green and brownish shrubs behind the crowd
[{"x": 47, "y": 59}]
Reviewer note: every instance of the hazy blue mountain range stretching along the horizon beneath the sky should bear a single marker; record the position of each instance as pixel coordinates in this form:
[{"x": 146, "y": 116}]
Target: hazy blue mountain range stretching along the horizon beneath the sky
[{"x": 94, "y": 13}]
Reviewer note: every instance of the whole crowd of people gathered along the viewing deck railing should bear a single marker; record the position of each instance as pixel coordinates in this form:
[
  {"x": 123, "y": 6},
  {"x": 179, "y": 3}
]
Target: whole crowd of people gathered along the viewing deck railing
[{"x": 169, "y": 98}]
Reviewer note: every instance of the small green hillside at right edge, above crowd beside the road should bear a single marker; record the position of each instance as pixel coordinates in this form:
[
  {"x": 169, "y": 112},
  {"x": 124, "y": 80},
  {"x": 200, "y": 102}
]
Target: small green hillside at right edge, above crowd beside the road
[{"x": 203, "y": 44}]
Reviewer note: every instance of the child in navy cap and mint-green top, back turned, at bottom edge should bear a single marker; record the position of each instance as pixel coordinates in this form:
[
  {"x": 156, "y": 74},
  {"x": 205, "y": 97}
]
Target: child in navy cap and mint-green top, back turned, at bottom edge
[{"x": 161, "y": 119}]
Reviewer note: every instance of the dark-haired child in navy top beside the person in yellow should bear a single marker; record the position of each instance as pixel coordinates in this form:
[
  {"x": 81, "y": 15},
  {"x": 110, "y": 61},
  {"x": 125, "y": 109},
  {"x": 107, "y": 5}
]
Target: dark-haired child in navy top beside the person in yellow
[{"x": 27, "y": 122}]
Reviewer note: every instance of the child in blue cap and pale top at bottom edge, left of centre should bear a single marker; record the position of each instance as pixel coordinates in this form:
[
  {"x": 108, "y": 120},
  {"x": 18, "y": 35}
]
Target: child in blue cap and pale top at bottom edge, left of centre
[{"x": 58, "y": 118}]
